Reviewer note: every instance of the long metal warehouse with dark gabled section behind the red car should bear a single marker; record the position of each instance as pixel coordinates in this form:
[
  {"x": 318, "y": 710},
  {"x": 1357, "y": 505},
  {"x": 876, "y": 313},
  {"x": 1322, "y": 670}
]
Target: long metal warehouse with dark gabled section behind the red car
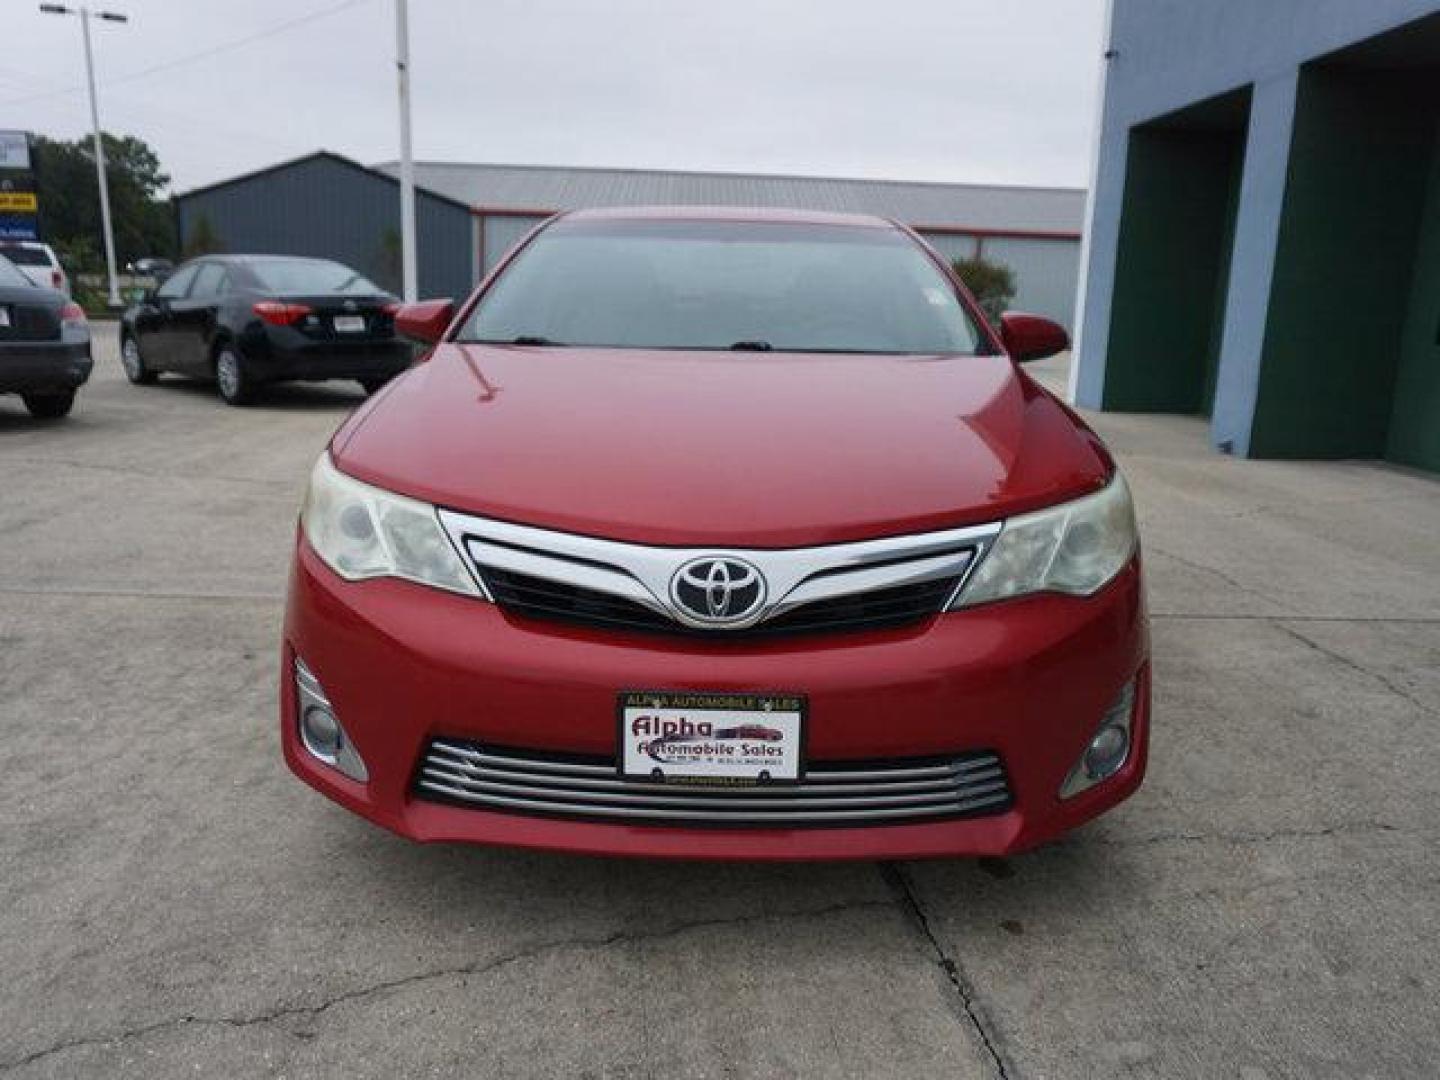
[{"x": 470, "y": 215}]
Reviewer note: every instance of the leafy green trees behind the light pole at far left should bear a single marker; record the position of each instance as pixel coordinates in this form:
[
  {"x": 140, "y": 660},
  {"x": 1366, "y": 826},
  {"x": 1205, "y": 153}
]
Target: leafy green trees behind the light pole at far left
[{"x": 70, "y": 199}]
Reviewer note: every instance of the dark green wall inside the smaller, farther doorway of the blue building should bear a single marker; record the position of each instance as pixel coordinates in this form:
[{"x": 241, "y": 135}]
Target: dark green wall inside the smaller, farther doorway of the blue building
[{"x": 1171, "y": 269}]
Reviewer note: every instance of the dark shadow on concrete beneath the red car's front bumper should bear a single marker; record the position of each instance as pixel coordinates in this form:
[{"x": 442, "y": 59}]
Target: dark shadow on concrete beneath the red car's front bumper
[{"x": 463, "y": 888}]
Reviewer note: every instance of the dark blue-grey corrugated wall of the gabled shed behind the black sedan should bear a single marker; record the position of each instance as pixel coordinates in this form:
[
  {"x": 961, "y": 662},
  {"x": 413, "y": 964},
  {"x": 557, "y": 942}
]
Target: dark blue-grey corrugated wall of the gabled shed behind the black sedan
[{"x": 325, "y": 208}]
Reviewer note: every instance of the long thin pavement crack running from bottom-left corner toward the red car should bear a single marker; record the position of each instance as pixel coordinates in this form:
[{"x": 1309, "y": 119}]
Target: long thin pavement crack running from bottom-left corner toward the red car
[{"x": 457, "y": 971}]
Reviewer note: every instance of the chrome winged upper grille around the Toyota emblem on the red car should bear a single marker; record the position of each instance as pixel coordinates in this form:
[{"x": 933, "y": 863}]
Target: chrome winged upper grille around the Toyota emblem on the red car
[{"x": 614, "y": 585}]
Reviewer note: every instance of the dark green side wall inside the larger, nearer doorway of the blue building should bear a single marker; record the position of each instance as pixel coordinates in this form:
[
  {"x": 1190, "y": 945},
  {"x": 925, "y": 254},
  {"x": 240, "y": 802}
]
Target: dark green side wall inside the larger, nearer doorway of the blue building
[{"x": 1360, "y": 162}]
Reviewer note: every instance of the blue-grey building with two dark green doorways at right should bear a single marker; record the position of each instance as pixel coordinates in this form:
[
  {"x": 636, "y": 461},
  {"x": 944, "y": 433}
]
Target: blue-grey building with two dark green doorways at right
[{"x": 1265, "y": 241}]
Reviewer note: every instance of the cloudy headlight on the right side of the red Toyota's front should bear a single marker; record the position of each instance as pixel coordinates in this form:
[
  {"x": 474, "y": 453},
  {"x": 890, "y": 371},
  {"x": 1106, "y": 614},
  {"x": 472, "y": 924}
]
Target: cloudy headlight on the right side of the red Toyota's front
[{"x": 1075, "y": 548}]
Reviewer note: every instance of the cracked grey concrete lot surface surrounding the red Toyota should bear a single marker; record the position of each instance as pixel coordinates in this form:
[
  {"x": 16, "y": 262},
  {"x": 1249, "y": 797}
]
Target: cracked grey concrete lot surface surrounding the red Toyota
[{"x": 175, "y": 904}]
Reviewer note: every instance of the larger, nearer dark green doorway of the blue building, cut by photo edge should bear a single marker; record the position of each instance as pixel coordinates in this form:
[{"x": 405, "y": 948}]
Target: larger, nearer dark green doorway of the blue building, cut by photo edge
[{"x": 1351, "y": 359}]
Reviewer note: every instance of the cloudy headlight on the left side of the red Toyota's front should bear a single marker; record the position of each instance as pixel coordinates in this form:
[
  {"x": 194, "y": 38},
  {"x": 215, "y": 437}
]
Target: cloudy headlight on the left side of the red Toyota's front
[{"x": 364, "y": 532}]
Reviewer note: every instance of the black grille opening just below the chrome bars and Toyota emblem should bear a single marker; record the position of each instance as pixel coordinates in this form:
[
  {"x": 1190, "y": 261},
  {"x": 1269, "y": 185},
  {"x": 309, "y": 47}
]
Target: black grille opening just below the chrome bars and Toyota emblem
[{"x": 868, "y": 611}]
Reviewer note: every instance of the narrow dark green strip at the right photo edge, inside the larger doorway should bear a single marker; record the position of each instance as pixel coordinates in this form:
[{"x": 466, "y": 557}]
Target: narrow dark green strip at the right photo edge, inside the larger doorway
[{"x": 1415, "y": 421}]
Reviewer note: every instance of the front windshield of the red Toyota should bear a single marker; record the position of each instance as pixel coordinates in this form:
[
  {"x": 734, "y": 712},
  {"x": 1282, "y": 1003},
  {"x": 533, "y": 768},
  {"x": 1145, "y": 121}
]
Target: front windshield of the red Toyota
[{"x": 667, "y": 284}]
